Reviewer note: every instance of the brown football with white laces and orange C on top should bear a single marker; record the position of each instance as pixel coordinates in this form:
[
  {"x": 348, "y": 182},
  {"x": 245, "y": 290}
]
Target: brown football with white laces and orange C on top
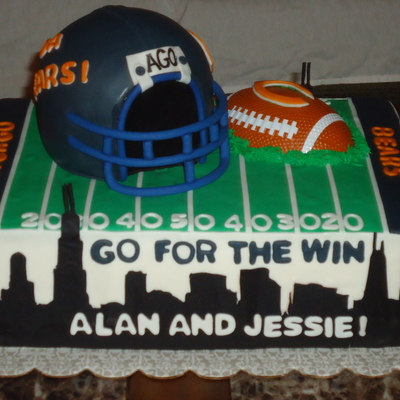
[{"x": 286, "y": 115}]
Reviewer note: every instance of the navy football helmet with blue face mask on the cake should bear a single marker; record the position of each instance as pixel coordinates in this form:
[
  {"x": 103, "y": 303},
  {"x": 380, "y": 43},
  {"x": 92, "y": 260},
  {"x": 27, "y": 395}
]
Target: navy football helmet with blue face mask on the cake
[{"x": 124, "y": 90}]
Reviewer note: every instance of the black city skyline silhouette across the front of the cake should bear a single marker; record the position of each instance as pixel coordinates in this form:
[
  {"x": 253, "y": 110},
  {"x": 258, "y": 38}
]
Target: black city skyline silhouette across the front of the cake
[{"x": 25, "y": 323}]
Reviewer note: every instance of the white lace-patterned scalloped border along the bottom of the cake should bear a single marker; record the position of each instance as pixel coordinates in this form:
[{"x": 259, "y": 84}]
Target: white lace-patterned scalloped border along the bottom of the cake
[{"x": 64, "y": 362}]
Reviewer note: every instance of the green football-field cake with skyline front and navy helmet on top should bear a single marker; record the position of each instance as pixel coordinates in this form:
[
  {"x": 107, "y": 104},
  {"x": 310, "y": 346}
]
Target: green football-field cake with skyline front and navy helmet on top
[{"x": 261, "y": 253}]
